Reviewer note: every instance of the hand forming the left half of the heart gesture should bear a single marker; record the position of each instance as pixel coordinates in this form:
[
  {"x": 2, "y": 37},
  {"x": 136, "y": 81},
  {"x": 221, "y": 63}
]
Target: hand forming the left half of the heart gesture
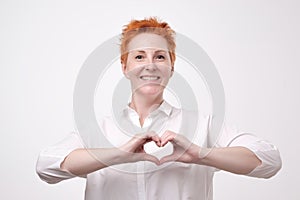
[{"x": 134, "y": 148}]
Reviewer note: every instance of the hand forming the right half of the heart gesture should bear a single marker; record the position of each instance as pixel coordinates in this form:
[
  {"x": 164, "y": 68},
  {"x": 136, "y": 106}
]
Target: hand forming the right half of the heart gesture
[{"x": 183, "y": 150}]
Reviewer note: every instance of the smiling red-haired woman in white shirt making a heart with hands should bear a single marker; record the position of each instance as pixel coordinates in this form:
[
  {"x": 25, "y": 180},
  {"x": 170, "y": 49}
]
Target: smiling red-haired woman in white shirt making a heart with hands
[{"x": 148, "y": 56}]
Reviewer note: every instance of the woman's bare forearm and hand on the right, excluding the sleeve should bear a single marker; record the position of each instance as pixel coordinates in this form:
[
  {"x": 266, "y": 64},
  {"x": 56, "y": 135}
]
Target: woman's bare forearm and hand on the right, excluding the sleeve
[{"x": 235, "y": 159}]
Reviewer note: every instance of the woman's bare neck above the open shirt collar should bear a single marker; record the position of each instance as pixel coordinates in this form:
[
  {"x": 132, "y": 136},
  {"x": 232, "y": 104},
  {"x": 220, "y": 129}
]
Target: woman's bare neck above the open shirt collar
[{"x": 144, "y": 105}]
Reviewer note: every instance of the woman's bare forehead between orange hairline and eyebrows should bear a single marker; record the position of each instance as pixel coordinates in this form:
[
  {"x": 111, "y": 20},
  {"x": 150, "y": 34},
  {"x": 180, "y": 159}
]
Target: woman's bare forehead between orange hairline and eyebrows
[{"x": 147, "y": 41}]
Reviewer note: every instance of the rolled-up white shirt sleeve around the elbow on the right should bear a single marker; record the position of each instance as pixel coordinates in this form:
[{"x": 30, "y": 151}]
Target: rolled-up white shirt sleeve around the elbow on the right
[{"x": 263, "y": 149}]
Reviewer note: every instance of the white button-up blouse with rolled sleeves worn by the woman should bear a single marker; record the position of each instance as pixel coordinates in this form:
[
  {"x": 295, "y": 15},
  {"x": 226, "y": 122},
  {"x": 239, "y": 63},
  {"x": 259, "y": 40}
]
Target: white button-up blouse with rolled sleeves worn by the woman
[{"x": 145, "y": 180}]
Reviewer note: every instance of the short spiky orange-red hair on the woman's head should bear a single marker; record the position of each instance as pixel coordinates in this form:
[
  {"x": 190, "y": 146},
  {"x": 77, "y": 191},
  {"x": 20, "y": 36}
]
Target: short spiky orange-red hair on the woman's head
[{"x": 147, "y": 25}]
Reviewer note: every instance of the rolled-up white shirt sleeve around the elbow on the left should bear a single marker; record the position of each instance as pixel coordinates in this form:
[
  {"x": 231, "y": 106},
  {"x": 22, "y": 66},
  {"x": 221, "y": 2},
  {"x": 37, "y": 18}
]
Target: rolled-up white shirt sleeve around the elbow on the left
[{"x": 50, "y": 159}]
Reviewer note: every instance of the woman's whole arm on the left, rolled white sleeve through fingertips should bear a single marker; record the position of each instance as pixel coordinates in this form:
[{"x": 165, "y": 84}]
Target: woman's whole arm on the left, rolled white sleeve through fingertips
[{"x": 69, "y": 158}]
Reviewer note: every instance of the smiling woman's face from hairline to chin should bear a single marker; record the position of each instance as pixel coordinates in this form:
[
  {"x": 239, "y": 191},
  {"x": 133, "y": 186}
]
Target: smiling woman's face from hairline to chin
[{"x": 148, "y": 64}]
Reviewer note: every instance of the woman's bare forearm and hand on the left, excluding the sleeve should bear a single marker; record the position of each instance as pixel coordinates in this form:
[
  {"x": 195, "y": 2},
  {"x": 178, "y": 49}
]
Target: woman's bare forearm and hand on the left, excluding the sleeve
[{"x": 84, "y": 161}]
